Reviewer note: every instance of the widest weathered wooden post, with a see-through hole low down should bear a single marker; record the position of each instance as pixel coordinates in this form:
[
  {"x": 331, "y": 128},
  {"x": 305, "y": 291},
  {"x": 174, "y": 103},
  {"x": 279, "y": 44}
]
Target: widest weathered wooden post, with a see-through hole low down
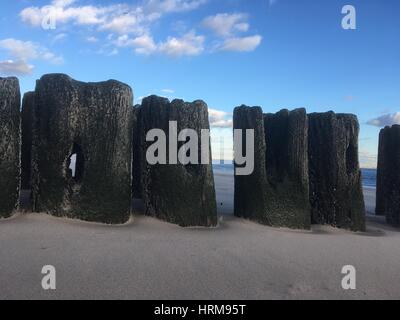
[{"x": 82, "y": 149}]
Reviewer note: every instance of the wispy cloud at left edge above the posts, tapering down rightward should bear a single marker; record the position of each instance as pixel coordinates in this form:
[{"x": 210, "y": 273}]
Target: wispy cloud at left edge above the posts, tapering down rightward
[{"x": 27, "y": 50}]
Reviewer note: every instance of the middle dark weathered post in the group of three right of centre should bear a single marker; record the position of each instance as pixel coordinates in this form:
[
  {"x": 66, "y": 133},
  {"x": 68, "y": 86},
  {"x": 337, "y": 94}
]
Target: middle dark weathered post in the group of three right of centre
[{"x": 286, "y": 134}]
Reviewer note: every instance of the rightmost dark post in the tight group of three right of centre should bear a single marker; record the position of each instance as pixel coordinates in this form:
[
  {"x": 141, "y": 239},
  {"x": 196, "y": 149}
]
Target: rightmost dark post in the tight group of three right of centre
[{"x": 335, "y": 177}]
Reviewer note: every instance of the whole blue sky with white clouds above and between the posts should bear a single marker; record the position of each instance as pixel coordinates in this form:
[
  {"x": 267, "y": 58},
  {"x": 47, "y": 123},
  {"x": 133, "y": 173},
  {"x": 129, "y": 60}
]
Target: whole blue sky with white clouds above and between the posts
[{"x": 275, "y": 54}]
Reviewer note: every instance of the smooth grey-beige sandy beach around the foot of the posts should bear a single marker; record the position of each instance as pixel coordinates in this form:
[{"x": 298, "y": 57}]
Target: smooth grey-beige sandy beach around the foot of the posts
[{"x": 150, "y": 259}]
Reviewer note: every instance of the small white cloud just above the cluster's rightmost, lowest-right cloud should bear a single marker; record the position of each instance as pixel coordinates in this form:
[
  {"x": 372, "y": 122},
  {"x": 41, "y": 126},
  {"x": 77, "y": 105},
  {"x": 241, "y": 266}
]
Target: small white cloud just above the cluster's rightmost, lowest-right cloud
[{"x": 225, "y": 24}]
